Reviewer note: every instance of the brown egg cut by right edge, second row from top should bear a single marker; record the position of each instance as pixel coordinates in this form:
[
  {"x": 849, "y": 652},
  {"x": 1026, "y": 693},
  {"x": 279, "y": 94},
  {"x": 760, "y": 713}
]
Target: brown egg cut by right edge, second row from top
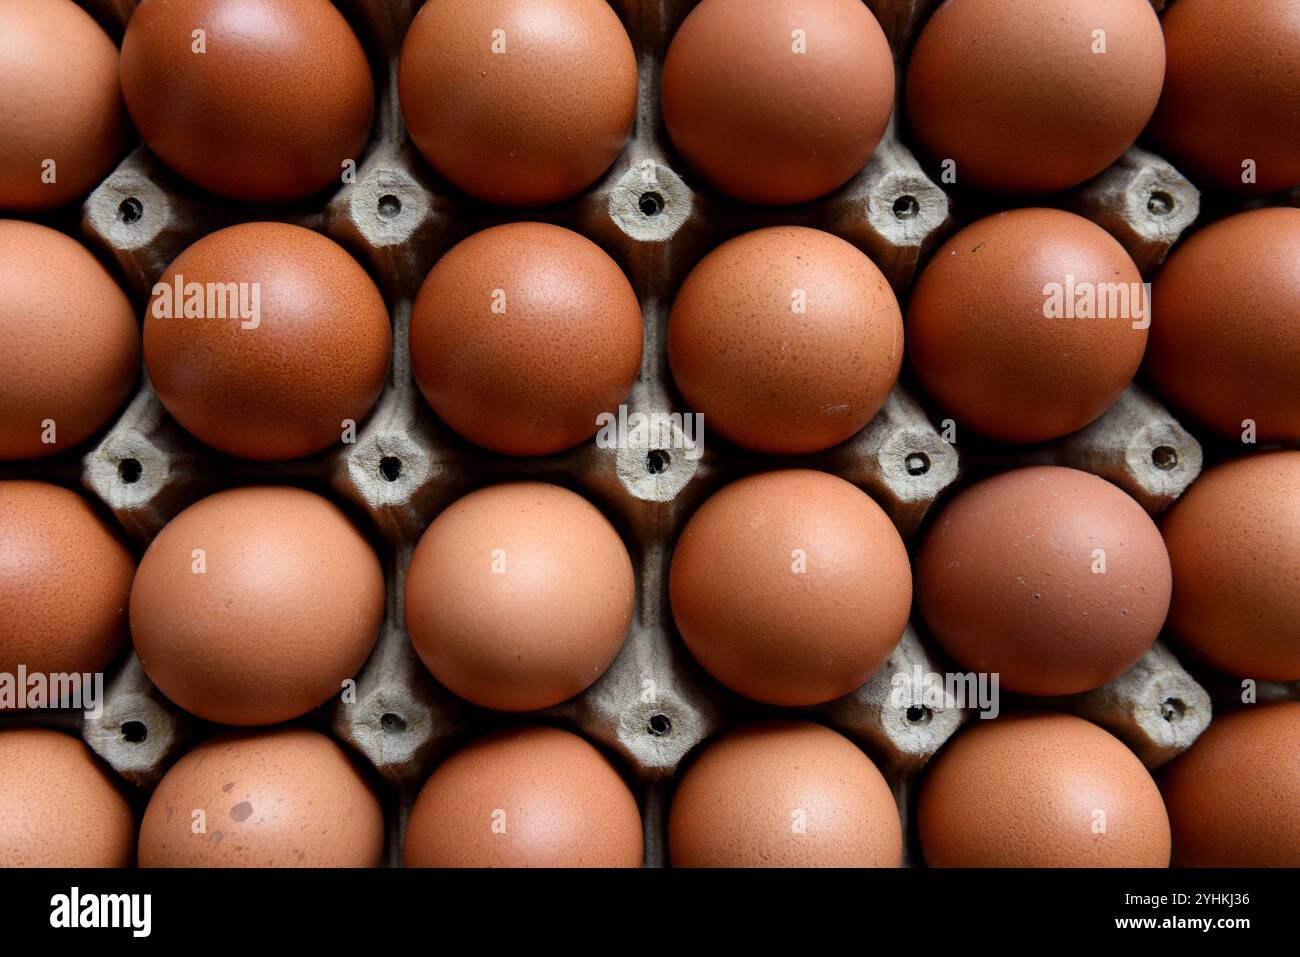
[{"x": 1225, "y": 336}]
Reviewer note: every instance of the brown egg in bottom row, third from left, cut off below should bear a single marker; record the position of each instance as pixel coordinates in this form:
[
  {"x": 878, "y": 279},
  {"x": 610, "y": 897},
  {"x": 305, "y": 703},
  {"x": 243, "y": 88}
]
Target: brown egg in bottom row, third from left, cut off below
[{"x": 526, "y": 798}]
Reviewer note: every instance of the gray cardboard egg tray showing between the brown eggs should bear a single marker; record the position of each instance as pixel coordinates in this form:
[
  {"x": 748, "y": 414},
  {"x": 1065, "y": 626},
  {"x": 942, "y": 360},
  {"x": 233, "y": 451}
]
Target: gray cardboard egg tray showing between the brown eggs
[{"x": 655, "y": 705}]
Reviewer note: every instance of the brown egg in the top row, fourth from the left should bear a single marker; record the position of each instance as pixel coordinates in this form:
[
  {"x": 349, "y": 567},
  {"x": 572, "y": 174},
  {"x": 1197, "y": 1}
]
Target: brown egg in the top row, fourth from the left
[{"x": 778, "y": 105}]
